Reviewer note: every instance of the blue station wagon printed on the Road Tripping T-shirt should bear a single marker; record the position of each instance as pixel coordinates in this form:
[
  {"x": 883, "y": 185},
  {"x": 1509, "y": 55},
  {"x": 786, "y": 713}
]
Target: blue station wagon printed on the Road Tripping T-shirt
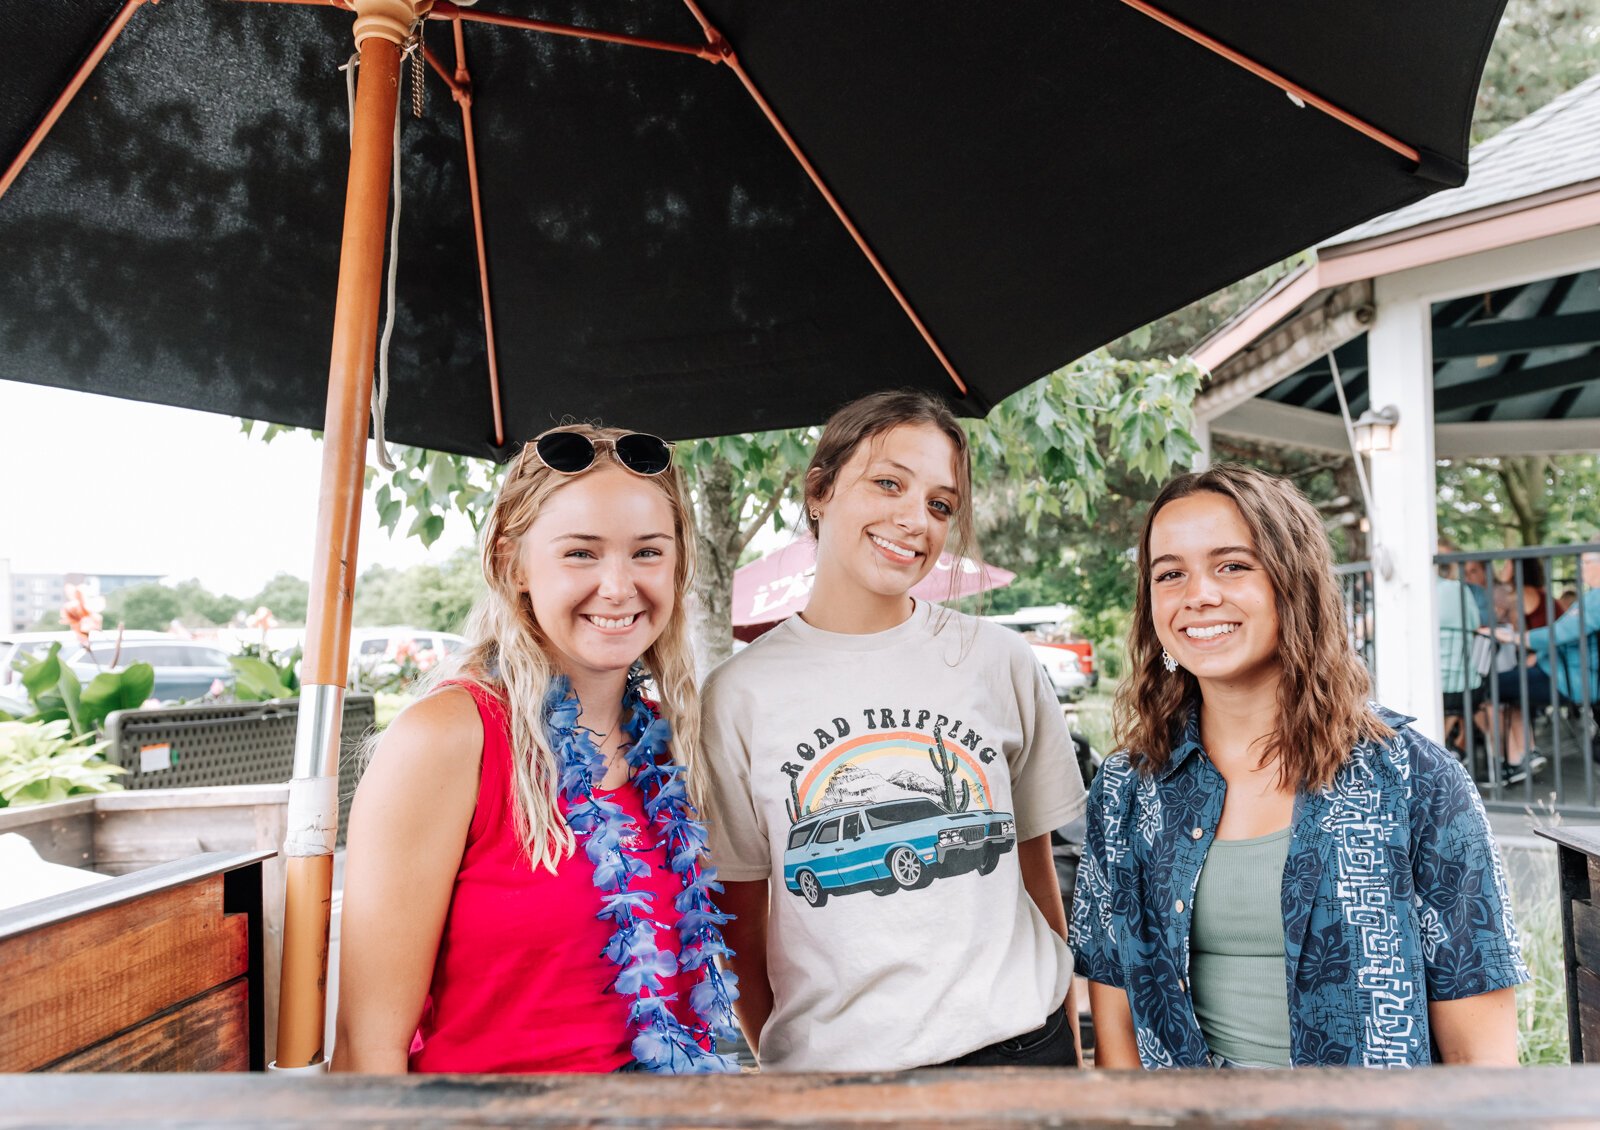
[{"x": 890, "y": 846}]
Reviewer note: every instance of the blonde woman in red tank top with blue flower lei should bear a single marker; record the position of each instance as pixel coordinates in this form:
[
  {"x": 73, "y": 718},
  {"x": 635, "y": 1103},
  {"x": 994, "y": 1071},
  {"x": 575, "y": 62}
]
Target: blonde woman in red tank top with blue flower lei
[{"x": 526, "y": 888}]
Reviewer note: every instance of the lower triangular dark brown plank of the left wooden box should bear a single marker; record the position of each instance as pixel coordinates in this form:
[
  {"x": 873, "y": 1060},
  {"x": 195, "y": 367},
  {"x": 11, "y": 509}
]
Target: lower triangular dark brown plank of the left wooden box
[{"x": 210, "y": 1033}]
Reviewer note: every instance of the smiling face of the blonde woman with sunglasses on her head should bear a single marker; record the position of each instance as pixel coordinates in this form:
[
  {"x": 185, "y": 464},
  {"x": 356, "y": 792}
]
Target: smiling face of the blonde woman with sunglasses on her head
[{"x": 598, "y": 566}]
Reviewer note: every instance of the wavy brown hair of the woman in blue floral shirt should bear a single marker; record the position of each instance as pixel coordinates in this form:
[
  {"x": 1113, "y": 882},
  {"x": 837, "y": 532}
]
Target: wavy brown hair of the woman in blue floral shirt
[{"x": 1322, "y": 689}]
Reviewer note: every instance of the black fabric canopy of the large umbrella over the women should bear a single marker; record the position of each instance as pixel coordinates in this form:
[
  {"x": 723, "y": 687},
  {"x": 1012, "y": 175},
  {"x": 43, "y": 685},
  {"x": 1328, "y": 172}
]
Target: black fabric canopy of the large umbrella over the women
[{"x": 1036, "y": 178}]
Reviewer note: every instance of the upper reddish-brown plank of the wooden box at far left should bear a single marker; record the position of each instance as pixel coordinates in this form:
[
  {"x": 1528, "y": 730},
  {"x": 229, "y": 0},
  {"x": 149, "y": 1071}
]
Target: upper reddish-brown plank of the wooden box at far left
[{"x": 90, "y": 977}]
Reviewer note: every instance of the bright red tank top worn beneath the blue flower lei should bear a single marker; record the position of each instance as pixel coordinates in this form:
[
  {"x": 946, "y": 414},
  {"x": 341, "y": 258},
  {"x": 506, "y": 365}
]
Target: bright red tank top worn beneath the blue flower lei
[{"x": 521, "y": 984}]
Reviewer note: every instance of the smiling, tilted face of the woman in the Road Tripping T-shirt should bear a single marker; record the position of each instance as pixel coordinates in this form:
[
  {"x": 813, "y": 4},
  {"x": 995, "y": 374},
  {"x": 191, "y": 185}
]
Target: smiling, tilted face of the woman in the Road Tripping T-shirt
[{"x": 889, "y": 516}]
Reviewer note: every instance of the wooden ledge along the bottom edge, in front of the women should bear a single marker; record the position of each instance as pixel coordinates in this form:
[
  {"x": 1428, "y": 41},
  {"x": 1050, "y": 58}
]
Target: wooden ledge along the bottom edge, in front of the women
[{"x": 1438, "y": 1097}]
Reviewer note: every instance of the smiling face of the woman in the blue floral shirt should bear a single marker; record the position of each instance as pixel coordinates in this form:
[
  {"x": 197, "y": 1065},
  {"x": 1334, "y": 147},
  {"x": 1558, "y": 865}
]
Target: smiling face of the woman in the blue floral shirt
[{"x": 1210, "y": 598}]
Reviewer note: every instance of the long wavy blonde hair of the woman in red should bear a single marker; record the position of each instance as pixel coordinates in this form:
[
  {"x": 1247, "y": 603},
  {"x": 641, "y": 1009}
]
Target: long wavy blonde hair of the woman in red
[{"x": 511, "y": 657}]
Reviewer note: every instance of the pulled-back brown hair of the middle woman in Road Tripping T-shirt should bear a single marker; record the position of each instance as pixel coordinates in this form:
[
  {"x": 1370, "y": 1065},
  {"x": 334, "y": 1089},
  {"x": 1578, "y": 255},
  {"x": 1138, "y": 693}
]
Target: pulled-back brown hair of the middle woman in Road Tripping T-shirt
[{"x": 873, "y": 415}]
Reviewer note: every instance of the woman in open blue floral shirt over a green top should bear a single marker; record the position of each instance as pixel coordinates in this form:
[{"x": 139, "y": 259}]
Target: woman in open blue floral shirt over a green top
[{"x": 1276, "y": 872}]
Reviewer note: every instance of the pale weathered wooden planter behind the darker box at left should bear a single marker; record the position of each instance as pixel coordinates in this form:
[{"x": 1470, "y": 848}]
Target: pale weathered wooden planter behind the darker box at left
[{"x": 130, "y": 833}]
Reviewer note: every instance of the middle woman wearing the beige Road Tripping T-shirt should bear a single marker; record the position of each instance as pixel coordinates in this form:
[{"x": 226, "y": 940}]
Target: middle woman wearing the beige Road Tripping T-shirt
[{"x": 884, "y": 779}]
